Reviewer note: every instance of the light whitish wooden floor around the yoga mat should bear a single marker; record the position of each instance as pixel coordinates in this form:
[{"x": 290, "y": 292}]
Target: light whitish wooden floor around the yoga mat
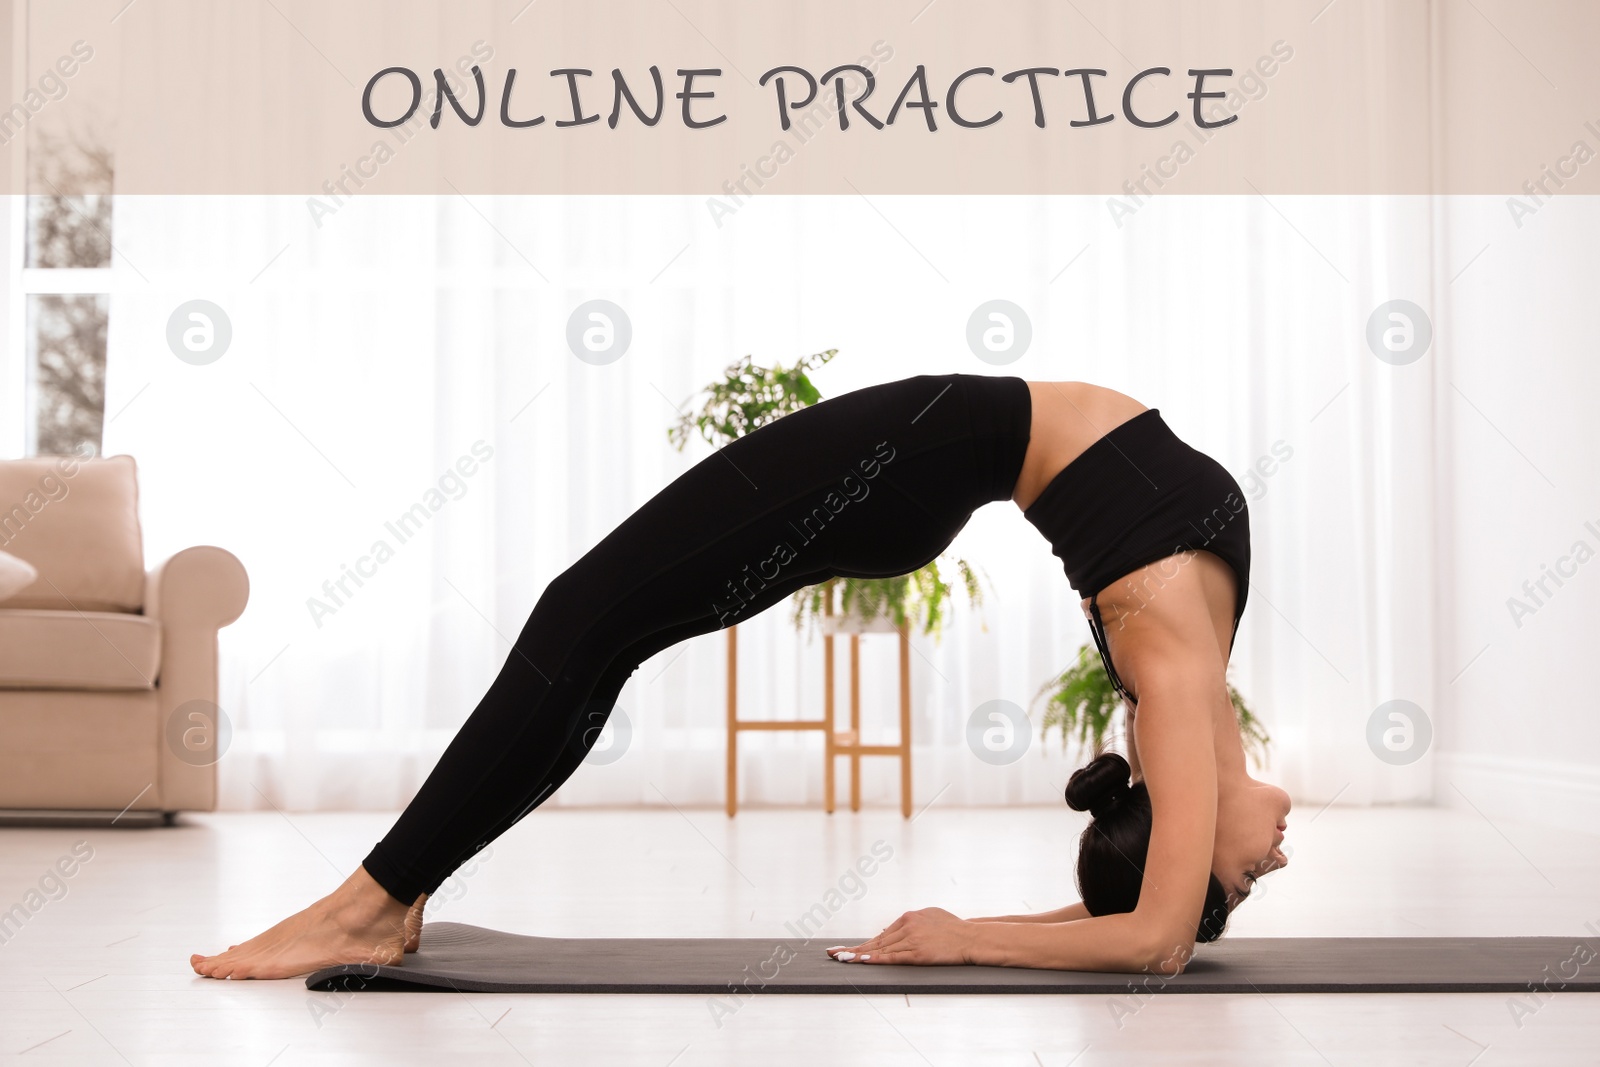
[{"x": 100, "y": 975}]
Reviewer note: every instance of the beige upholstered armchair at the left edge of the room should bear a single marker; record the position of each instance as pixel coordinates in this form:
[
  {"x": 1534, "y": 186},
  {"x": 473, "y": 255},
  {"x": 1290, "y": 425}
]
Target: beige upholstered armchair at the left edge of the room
[{"x": 108, "y": 674}]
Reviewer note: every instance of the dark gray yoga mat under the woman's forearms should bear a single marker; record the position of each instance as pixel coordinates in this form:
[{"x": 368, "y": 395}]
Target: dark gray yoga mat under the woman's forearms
[{"x": 457, "y": 957}]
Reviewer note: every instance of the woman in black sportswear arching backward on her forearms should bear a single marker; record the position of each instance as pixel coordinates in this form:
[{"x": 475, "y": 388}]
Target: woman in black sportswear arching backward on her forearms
[{"x": 876, "y": 484}]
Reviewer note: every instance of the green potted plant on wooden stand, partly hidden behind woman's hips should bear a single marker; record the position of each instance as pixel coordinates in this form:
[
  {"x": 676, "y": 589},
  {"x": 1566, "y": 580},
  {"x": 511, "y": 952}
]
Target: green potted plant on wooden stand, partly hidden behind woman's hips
[{"x": 748, "y": 398}]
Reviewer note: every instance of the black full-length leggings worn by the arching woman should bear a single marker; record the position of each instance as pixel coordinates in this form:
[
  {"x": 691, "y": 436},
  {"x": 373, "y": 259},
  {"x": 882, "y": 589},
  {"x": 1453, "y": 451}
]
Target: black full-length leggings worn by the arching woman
[{"x": 871, "y": 484}]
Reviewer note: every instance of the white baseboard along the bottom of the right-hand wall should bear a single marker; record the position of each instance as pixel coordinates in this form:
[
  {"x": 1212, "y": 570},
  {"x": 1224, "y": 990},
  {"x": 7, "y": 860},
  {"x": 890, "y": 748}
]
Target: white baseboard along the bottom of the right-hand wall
[{"x": 1564, "y": 796}]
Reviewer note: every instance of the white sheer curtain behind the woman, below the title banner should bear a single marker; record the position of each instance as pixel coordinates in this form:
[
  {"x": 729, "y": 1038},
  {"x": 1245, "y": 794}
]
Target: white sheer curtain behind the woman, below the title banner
[{"x": 370, "y": 353}]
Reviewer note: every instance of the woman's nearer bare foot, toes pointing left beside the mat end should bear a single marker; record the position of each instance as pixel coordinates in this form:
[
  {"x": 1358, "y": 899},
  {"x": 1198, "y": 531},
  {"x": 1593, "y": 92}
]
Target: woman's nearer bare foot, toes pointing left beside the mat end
[{"x": 356, "y": 924}]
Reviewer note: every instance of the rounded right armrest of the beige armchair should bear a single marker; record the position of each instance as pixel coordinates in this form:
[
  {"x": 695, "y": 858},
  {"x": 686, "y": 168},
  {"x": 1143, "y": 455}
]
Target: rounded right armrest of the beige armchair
[{"x": 194, "y": 594}]
